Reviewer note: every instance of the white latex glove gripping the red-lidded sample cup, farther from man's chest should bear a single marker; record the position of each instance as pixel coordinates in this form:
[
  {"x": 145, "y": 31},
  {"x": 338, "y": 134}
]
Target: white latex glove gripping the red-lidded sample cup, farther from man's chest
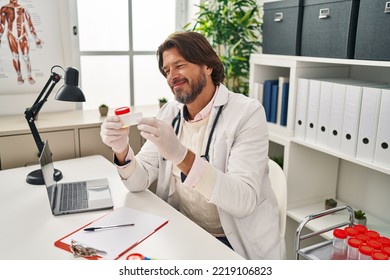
[{"x": 113, "y": 135}]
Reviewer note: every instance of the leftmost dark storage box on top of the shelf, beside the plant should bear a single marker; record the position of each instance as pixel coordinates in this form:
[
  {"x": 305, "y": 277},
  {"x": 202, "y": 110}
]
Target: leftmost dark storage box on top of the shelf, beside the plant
[{"x": 282, "y": 22}]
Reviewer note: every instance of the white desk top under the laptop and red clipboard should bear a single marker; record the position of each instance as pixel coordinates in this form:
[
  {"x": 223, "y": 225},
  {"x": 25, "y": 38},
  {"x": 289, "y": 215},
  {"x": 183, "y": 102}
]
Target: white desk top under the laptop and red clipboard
[{"x": 28, "y": 229}]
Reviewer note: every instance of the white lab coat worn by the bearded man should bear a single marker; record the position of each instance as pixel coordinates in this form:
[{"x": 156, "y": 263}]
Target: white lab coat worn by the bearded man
[{"x": 239, "y": 153}]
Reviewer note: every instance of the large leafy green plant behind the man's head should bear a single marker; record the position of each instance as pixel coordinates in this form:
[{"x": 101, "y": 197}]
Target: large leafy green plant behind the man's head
[{"x": 233, "y": 28}]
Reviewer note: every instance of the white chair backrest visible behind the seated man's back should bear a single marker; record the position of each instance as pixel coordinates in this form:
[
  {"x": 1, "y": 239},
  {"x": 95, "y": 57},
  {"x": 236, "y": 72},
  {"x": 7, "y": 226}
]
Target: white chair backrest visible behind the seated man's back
[{"x": 279, "y": 186}]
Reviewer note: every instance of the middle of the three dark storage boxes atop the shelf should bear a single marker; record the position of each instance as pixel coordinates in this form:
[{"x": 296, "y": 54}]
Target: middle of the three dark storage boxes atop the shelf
[{"x": 329, "y": 28}]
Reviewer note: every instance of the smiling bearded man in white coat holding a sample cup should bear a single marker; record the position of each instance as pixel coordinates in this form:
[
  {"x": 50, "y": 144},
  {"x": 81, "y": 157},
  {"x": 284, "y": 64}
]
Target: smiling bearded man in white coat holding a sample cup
[{"x": 215, "y": 170}]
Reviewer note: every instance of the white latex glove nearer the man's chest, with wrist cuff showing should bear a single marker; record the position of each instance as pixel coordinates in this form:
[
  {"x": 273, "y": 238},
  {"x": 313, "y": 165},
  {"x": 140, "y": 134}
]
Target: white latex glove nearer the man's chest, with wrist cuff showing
[{"x": 162, "y": 135}]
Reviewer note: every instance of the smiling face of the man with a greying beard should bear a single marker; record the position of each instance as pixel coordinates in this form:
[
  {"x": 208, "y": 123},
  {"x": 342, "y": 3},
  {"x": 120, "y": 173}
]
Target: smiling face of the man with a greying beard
[{"x": 186, "y": 80}]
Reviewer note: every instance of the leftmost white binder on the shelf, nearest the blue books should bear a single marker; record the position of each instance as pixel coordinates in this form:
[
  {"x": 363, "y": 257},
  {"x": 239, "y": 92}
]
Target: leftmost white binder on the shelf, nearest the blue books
[{"x": 301, "y": 109}]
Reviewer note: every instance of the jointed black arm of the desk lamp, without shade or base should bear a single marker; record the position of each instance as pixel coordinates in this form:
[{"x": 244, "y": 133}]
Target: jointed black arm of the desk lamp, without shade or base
[{"x": 32, "y": 112}]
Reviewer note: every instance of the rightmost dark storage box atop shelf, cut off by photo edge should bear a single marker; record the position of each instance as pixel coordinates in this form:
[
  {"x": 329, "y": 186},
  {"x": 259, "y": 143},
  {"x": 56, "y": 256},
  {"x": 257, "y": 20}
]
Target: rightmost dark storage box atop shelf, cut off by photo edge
[{"x": 373, "y": 30}]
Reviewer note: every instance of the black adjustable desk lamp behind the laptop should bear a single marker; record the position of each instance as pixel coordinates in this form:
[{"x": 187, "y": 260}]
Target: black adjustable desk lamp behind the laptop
[{"x": 68, "y": 92}]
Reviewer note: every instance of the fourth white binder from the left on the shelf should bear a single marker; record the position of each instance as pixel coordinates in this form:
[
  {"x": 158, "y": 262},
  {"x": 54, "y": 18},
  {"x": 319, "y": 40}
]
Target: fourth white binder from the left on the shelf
[{"x": 336, "y": 116}]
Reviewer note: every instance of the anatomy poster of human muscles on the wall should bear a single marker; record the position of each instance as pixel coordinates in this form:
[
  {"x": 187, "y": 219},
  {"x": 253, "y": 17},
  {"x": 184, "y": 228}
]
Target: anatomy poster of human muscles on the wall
[{"x": 30, "y": 44}]
